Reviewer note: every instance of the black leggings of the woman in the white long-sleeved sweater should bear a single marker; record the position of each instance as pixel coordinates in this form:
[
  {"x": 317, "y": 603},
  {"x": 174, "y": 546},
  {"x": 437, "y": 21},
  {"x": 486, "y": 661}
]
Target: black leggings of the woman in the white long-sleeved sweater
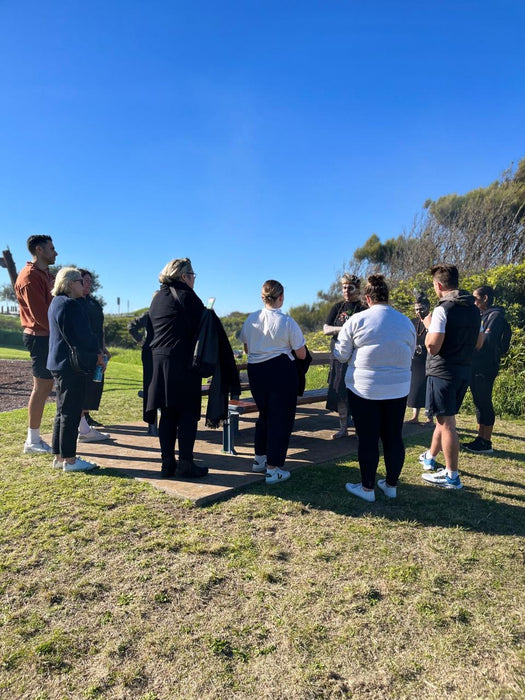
[{"x": 374, "y": 421}]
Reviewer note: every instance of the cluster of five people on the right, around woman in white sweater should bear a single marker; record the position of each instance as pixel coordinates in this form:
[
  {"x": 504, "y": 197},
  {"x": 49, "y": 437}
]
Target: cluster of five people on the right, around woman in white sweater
[{"x": 384, "y": 362}]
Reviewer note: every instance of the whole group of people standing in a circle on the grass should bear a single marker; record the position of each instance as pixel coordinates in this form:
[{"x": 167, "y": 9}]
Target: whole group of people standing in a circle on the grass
[{"x": 377, "y": 365}]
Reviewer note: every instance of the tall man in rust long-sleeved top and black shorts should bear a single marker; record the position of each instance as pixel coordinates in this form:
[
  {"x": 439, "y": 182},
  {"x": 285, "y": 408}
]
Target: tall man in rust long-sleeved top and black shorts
[{"x": 33, "y": 291}]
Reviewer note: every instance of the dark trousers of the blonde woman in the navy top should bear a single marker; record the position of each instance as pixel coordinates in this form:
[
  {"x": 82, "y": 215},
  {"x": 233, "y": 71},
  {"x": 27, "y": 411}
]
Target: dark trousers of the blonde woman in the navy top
[{"x": 70, "y": 389}]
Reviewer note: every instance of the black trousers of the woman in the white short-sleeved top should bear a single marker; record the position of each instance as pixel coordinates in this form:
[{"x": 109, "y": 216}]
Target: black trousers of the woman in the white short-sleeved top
[{"x": 274, "y": 389}]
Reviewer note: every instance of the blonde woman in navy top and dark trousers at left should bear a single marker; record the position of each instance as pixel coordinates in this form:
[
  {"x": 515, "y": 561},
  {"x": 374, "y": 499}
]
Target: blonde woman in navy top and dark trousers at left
[{"x": 69, "y": 332}]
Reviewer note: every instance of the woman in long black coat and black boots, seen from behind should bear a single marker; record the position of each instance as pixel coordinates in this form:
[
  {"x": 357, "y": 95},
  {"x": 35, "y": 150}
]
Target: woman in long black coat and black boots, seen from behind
[{"x": 175, "y": 315}]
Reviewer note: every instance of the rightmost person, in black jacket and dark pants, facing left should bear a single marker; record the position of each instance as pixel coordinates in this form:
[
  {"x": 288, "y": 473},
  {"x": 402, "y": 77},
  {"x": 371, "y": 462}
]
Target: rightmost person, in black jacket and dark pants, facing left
[{"x": 485, "y": 368}]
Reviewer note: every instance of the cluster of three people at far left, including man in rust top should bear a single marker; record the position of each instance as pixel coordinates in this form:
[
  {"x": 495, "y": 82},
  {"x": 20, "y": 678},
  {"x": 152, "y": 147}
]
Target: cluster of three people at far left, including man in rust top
[{"x": 63, "y": 330}]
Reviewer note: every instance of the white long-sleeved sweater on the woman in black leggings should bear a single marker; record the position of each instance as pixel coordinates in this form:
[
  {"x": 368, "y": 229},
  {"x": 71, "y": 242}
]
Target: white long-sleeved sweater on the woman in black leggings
[{"x": 378, "y": 345}]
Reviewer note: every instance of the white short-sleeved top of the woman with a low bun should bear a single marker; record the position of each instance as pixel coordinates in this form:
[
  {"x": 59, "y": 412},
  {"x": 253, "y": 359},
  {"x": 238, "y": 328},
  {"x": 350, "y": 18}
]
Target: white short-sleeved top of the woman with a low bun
[{"x": 269, "y": 333}]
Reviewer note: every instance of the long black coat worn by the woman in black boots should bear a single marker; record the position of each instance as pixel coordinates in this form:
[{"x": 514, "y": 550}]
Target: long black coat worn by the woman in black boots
[{"x": 175, "y": 325}]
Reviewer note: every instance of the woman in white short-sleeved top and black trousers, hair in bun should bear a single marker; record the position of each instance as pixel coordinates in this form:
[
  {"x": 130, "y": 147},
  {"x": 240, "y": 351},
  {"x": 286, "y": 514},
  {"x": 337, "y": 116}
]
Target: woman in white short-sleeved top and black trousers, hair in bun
[{"x": 270, "y": 338}]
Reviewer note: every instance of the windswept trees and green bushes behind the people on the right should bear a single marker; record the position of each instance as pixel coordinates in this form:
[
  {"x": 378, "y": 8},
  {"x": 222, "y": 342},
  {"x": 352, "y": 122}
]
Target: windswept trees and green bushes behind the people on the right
[{"x": 481, "y": 232}]
